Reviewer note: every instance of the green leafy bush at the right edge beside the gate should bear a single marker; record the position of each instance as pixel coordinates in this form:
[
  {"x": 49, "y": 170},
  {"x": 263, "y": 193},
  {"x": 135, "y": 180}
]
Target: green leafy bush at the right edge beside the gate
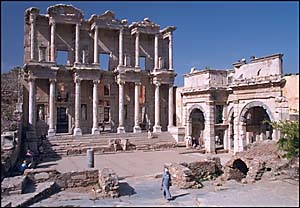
[{"x": 289, "y": 142}]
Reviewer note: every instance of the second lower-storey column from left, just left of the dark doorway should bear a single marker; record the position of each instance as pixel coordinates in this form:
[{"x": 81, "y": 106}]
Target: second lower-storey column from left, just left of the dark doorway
[{"x": 51, "y": 130}]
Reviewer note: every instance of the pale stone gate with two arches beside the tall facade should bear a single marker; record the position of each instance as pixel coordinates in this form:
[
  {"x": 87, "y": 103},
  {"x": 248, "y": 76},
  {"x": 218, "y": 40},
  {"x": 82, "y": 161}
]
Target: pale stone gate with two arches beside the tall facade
[{"x": 227, "y": 108}]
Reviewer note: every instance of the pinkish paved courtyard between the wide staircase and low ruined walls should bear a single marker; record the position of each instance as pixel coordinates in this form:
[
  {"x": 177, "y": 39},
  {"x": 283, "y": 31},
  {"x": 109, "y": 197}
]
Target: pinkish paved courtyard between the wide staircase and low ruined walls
[{"x": 131, "y": 164}]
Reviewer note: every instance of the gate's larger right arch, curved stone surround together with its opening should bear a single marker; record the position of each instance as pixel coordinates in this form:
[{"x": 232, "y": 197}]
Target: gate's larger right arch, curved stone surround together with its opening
[{"x": 253, "y": 125}]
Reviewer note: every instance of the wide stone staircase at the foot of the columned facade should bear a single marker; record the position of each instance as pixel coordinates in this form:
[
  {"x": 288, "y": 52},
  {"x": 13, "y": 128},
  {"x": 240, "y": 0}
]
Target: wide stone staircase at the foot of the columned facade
[{"x": 66, "y": 145}]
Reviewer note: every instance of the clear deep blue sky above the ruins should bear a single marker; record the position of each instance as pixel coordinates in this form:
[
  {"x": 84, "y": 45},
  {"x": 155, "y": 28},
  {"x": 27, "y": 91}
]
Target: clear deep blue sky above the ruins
[{"x": 213, "y": 34}]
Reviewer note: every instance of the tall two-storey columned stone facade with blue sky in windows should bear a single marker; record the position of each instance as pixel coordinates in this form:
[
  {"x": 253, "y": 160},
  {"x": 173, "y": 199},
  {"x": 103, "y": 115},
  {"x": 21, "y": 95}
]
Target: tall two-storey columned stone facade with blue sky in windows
[{"x": 131, "y": 92}]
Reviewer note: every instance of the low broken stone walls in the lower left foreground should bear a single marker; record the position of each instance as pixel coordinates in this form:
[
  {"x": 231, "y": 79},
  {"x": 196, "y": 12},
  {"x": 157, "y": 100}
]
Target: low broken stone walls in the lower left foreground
[{"x": 37, "y": 184}]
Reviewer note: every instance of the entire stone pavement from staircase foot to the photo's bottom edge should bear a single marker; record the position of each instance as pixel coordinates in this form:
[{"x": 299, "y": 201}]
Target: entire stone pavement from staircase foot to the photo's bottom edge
[{"x": 139, "y": 187}]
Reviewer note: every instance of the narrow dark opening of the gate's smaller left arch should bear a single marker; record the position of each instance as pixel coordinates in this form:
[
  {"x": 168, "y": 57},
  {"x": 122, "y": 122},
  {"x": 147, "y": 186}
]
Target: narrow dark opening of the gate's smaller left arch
[{"x": 197, "y": 124}]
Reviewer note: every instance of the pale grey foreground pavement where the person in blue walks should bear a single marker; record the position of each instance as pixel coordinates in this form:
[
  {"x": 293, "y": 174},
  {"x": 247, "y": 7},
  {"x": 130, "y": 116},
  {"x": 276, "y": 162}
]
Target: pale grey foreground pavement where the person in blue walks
[{"x": 145, "y": 191}]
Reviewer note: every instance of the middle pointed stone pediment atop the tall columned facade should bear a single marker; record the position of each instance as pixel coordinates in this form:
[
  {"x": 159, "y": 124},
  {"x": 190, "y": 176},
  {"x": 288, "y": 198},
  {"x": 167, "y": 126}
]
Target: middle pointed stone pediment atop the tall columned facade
[{"x": 106, "y": 19}]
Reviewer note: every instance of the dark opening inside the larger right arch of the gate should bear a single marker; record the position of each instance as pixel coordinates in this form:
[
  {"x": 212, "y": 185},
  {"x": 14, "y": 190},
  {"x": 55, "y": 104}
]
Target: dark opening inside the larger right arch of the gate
[{"x": 256, "y": 127}]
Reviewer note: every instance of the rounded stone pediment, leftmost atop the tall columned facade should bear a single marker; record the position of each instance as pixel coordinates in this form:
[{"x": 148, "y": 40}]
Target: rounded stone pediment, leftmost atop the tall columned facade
[{"x": 64, "y": 10}]
